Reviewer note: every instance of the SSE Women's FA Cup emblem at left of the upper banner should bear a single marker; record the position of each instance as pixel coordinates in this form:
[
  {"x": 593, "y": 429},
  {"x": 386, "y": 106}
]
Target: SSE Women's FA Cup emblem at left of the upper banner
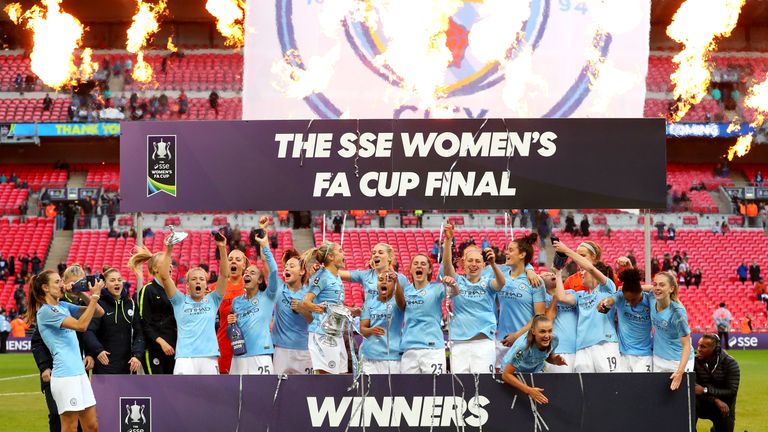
[{"x": 161, "y": 164}]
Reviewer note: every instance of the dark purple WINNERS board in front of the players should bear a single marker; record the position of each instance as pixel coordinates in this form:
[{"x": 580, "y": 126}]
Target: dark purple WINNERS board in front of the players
[{"x": 577, "y": 402}]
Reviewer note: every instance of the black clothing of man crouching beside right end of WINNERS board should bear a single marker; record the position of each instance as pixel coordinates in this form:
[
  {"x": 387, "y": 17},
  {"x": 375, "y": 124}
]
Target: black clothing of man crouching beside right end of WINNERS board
[{"x": 721, "y": 379}]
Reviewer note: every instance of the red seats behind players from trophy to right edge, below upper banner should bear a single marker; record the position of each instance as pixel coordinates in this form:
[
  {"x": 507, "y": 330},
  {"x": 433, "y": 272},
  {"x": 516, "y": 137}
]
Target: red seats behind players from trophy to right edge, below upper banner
[{"x": 717, "y": 256}]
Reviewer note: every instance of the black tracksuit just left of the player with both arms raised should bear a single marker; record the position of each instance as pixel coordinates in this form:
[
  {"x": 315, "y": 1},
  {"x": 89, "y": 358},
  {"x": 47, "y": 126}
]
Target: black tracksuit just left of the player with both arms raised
[{"x": 157, "y": 320}]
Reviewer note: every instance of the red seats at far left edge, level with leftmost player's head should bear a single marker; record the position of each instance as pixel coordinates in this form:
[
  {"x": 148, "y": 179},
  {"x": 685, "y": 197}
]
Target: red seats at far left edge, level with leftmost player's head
[{"x": 18, "y": 239}]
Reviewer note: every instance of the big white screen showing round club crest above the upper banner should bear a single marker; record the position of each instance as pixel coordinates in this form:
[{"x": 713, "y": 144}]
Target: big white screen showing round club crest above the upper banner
[{"x": 445, "y": 59}]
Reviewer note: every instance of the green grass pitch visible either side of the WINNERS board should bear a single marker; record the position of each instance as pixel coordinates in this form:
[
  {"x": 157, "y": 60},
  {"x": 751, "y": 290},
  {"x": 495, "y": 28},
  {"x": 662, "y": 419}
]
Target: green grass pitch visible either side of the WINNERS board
[{"x": 23, "y": 406}]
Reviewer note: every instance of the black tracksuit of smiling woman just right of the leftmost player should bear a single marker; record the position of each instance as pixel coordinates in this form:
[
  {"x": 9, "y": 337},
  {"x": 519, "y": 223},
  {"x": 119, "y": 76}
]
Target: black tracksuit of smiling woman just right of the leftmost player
[{"x": 118, "y": 332}]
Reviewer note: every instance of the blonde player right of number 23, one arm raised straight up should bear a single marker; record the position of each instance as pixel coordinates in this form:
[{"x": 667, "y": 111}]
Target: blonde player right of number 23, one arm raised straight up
[{"x": 473, "y": 328}]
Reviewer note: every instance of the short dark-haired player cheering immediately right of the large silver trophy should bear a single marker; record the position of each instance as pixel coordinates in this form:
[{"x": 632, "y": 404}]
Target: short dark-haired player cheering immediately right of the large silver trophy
[{"x": 381, "y": 324}]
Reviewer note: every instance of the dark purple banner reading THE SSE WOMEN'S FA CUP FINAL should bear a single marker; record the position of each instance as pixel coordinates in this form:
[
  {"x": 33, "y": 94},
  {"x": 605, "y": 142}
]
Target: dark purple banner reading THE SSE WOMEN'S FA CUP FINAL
[{"x": 390, "y": 164}]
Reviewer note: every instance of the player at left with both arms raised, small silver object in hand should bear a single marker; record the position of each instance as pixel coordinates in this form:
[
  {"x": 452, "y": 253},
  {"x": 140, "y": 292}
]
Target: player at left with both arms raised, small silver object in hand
[{"x": 197, "y": 350}]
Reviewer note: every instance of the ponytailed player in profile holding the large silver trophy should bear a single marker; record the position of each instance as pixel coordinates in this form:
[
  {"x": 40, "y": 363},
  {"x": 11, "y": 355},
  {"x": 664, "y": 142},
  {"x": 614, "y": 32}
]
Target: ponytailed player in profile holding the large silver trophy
[{"x": 325, "y": 300}]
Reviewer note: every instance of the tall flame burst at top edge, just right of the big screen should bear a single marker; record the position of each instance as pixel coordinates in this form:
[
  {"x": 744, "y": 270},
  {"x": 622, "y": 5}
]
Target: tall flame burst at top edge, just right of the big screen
[{"x": 697, "y": 25}]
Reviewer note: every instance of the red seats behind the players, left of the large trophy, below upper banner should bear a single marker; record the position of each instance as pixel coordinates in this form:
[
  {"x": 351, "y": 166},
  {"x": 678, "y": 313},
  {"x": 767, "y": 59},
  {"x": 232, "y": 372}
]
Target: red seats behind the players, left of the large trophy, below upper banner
[{"x": 94, "y": 249}]
